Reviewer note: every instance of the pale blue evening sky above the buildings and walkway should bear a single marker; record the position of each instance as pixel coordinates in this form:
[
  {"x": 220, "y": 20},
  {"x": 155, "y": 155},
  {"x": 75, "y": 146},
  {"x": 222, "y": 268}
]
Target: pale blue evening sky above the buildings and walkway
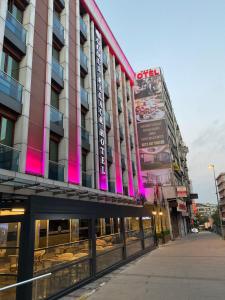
[{"x": 187, "y": 40}]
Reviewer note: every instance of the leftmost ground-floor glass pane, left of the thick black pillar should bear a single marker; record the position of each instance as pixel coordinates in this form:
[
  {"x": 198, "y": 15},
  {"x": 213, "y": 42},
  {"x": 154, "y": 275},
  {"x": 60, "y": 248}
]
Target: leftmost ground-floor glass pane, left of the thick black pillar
[{"x": 9, "y": 254}]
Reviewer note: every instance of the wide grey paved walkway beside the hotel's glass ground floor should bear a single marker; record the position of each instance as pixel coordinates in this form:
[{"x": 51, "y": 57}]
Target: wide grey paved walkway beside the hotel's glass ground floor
[{"x": 186, "y": 269}]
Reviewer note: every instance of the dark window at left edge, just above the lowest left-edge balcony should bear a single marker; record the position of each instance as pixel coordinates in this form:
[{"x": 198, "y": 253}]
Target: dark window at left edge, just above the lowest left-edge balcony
[{"x": 6, "y": 131}]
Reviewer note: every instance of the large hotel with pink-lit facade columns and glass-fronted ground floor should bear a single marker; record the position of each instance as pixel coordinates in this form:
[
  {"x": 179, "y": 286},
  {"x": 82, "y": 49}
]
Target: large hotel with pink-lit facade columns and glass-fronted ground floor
[{"x": 70, "y": 192}]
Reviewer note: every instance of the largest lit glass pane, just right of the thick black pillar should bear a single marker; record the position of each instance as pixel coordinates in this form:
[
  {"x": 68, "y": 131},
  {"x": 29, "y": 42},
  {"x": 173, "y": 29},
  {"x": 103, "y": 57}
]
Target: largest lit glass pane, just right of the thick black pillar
[{"x": 62, "y": 247}]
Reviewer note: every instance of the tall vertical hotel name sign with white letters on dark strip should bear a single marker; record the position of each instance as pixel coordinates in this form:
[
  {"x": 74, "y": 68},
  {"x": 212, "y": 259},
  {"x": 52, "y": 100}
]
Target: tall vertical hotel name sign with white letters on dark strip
[{"x": 100, "y": 111}]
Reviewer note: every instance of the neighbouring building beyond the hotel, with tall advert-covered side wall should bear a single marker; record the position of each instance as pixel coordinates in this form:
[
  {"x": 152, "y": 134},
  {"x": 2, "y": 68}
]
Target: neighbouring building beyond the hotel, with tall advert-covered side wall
[{"x": 162, "y": 150}]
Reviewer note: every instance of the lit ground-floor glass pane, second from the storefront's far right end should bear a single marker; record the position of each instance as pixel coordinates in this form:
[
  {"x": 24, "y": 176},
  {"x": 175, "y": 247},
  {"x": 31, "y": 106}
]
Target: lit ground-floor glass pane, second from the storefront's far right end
[{"x": 133, "y": 236}]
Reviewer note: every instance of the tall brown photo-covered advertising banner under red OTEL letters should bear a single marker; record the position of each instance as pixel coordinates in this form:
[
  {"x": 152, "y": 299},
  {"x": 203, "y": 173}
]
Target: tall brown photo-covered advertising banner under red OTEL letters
[{"x": 154, "y": 152}]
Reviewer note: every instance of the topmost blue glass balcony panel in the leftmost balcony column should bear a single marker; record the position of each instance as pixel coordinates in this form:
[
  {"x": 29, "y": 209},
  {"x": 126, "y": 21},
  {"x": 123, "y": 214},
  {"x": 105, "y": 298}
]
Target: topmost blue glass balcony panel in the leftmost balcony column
[{"x": 15, "y": 27}]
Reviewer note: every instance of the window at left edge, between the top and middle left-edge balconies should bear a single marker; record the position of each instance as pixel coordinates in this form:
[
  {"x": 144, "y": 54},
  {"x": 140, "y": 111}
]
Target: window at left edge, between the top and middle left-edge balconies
[{"x": 9, "y": 65}]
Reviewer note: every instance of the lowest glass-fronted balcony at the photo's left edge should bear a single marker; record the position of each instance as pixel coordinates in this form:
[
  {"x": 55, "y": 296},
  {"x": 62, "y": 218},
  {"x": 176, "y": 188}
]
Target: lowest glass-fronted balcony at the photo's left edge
[{"x": 9, "y": 158}]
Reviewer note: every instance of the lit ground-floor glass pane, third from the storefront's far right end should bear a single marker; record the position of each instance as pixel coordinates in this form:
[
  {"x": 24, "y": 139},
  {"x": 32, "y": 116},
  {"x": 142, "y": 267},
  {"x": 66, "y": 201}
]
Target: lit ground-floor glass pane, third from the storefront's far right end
[{"x": 109, "y": 243}]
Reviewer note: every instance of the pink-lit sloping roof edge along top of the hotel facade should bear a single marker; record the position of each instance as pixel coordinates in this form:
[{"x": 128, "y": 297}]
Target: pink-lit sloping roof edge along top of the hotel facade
[{"x": 103, "y": 27}]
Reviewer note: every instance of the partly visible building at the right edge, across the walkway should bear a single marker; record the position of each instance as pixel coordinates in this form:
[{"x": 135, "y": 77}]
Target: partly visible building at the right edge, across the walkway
[{"x": 221, "y": 194}]
